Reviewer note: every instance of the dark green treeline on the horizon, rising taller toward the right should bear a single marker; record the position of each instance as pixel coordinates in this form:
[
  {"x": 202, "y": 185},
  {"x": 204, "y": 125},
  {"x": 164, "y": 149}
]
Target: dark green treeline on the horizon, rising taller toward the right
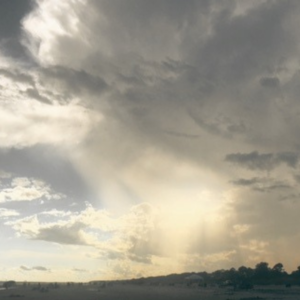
[{"x": 262, "y": 274}]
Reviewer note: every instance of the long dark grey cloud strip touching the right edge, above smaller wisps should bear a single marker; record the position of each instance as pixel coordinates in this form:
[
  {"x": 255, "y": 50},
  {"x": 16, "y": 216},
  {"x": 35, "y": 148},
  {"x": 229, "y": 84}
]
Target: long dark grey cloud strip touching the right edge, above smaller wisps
[{"x": 265, "y": 161}]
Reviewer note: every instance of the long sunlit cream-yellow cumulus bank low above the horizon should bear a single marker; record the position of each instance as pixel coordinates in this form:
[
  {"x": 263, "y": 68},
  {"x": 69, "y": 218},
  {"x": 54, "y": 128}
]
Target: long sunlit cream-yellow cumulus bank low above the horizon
[{"x": 142, "y": 235}]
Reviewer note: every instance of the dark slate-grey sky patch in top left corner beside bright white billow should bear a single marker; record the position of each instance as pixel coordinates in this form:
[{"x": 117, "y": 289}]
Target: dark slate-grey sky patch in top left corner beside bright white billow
[{"x": 11, "y": 14}]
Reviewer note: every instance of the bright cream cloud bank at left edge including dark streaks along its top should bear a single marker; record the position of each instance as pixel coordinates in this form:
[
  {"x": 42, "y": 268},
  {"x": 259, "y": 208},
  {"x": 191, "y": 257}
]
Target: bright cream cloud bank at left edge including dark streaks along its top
[{"x": 31, "y": 107}]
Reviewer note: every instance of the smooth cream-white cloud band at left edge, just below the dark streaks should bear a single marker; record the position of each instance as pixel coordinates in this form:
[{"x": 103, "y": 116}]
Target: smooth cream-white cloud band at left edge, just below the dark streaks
[{"x": 25, "y": 125}]
